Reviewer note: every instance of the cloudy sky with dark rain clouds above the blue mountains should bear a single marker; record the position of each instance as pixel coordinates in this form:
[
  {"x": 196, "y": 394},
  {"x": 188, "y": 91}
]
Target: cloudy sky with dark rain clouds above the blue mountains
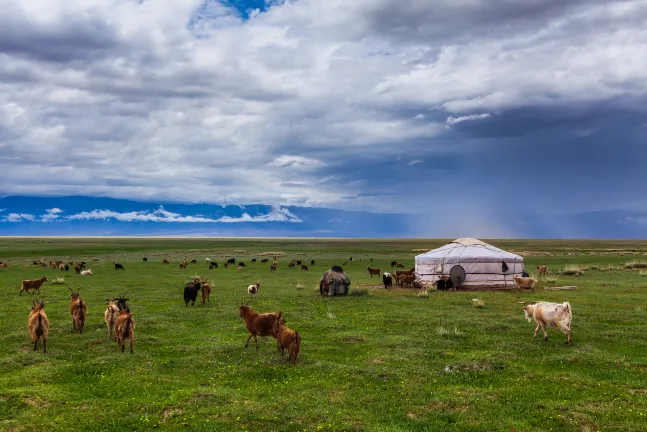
[{"x": 474, "y": 112}]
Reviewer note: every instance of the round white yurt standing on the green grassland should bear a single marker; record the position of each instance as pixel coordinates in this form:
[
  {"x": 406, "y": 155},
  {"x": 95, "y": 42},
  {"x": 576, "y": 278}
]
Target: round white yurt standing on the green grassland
[{"x": 470, "y": 263}]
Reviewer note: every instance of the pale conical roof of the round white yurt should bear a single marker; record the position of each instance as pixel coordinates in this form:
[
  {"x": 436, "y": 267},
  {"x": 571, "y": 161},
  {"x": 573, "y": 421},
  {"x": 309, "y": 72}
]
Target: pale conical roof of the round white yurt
[{"x": 467, "y": 250}]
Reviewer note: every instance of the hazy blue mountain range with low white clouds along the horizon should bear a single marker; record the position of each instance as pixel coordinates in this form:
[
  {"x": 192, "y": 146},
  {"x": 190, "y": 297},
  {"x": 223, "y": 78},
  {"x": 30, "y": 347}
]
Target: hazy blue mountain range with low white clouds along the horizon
[{"x": 90, "y": 216}]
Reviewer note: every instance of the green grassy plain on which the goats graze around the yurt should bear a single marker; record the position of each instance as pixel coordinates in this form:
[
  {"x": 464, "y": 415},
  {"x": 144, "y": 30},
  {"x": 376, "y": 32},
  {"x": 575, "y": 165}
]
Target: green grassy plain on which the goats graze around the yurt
[{"x": 386, "y": 361}]
